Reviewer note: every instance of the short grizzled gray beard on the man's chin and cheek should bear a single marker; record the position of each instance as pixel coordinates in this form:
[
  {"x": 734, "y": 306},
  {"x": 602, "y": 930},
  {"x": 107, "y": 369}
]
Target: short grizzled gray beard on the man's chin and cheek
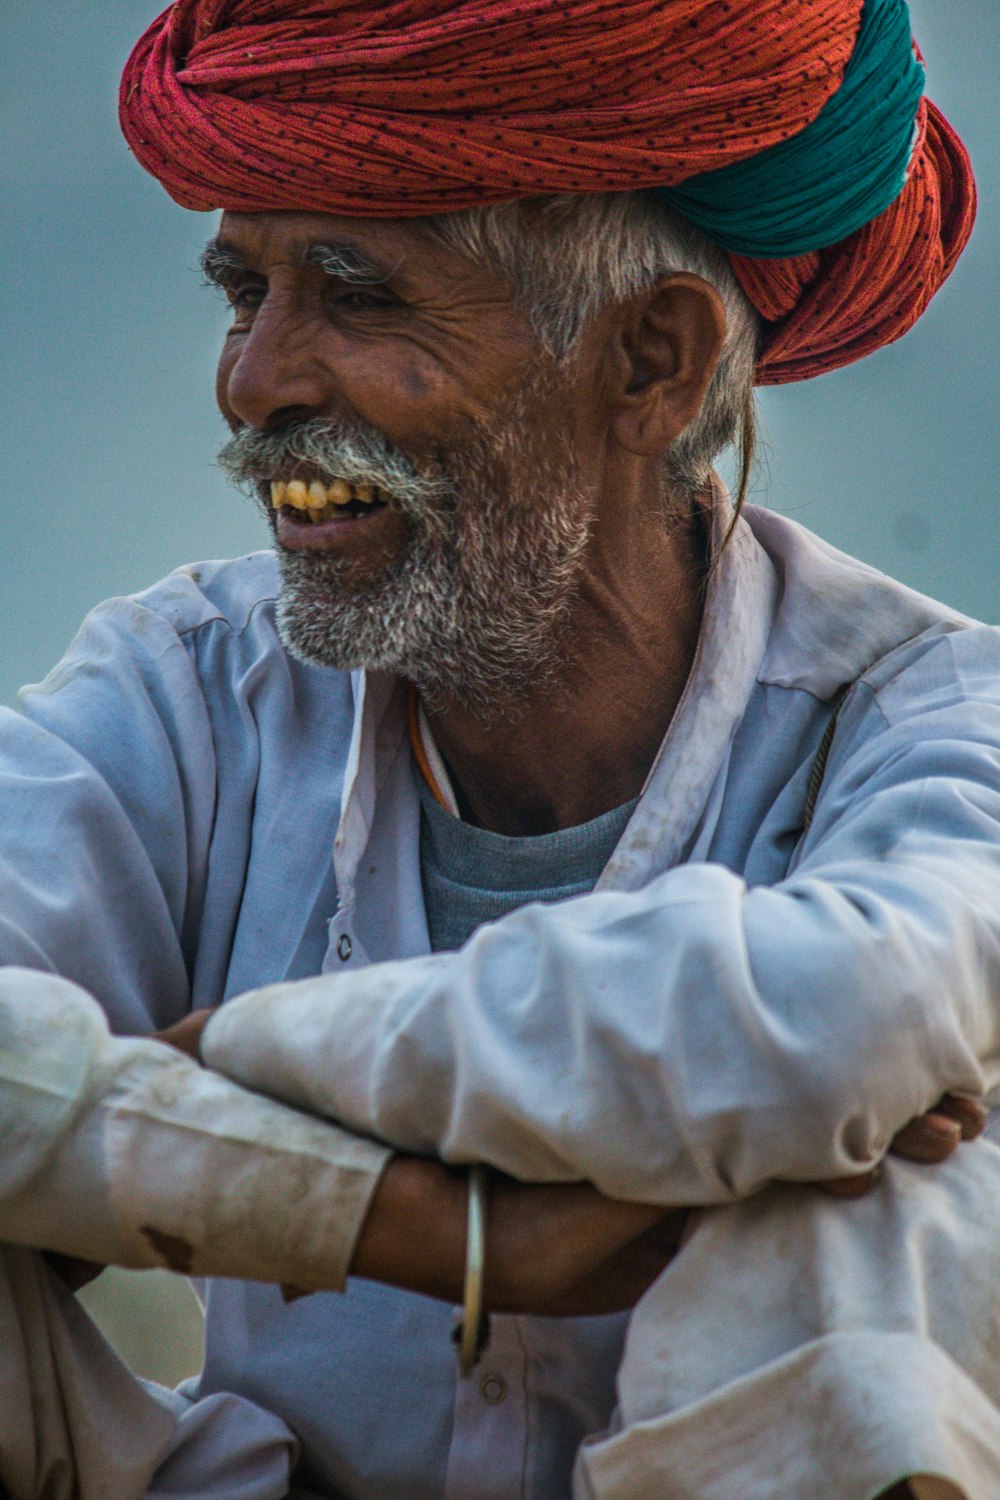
[{"x": 479, "y": 605}]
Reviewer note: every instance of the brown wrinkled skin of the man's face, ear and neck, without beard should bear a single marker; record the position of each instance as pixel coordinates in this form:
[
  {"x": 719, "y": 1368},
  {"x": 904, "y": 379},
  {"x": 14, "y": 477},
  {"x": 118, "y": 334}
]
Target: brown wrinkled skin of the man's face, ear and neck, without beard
[{"x": 427, "y": 356}]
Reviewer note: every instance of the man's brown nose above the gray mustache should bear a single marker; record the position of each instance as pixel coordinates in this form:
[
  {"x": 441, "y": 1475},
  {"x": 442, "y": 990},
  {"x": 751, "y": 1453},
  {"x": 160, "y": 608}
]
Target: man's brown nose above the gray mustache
[{"x": 272, "y": 374}]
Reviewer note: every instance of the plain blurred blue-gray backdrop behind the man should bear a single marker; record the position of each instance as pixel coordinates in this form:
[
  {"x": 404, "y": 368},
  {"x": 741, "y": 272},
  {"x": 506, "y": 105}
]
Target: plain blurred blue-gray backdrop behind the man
[{"x": 107, "y": 476}]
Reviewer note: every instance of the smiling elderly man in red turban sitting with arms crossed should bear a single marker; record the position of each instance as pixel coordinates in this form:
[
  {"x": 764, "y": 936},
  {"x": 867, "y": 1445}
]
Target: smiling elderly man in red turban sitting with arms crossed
[{"x": 608, "y": 833}]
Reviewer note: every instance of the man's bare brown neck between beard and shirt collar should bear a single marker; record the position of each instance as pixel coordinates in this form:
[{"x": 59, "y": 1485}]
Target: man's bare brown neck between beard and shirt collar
[{"x": 584, "y": 740}]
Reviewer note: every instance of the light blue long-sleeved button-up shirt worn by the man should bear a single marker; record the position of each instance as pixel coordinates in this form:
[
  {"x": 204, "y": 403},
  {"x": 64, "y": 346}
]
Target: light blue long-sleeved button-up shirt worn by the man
[{"x": 190, "y": 815}]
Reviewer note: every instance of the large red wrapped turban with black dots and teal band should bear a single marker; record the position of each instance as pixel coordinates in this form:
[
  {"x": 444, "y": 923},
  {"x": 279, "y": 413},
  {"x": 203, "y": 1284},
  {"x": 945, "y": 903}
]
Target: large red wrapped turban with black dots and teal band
[{"x": 794, "y": 133}]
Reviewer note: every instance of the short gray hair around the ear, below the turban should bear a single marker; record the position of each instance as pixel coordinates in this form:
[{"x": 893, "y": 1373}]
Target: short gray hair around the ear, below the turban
[{"x": 570, "y": 256}]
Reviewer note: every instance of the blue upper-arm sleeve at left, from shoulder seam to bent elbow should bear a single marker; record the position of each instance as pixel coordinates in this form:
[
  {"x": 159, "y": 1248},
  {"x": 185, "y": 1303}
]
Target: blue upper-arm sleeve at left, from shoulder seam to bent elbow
[{"x": 109, "y": 794}]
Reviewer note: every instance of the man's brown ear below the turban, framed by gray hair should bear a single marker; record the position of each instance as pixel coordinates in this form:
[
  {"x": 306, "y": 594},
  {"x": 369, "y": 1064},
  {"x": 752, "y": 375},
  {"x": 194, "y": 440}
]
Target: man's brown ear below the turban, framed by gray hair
[{"x": 666, "y": 349}]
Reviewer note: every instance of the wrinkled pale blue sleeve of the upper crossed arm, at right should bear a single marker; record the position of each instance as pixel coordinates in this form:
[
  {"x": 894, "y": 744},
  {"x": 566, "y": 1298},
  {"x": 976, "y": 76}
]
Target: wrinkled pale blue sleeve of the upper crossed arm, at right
[{"x": 693, "y": 1040}]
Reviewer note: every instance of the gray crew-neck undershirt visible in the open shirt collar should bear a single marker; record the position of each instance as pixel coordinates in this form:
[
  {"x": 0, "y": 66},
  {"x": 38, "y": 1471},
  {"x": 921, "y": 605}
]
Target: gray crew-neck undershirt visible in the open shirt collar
[{"x": 473, "y": 877}]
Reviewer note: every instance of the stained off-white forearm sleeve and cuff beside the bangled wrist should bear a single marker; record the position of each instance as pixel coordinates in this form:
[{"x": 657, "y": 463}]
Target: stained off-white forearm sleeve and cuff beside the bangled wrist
[{"x": 128, "y": 1153}]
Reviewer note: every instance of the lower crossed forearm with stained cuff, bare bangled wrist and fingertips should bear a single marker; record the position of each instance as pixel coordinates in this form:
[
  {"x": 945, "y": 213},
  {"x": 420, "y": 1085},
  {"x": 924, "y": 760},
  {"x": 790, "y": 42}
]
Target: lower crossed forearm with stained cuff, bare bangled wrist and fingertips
[{"x": 124, "y": 1150}]
